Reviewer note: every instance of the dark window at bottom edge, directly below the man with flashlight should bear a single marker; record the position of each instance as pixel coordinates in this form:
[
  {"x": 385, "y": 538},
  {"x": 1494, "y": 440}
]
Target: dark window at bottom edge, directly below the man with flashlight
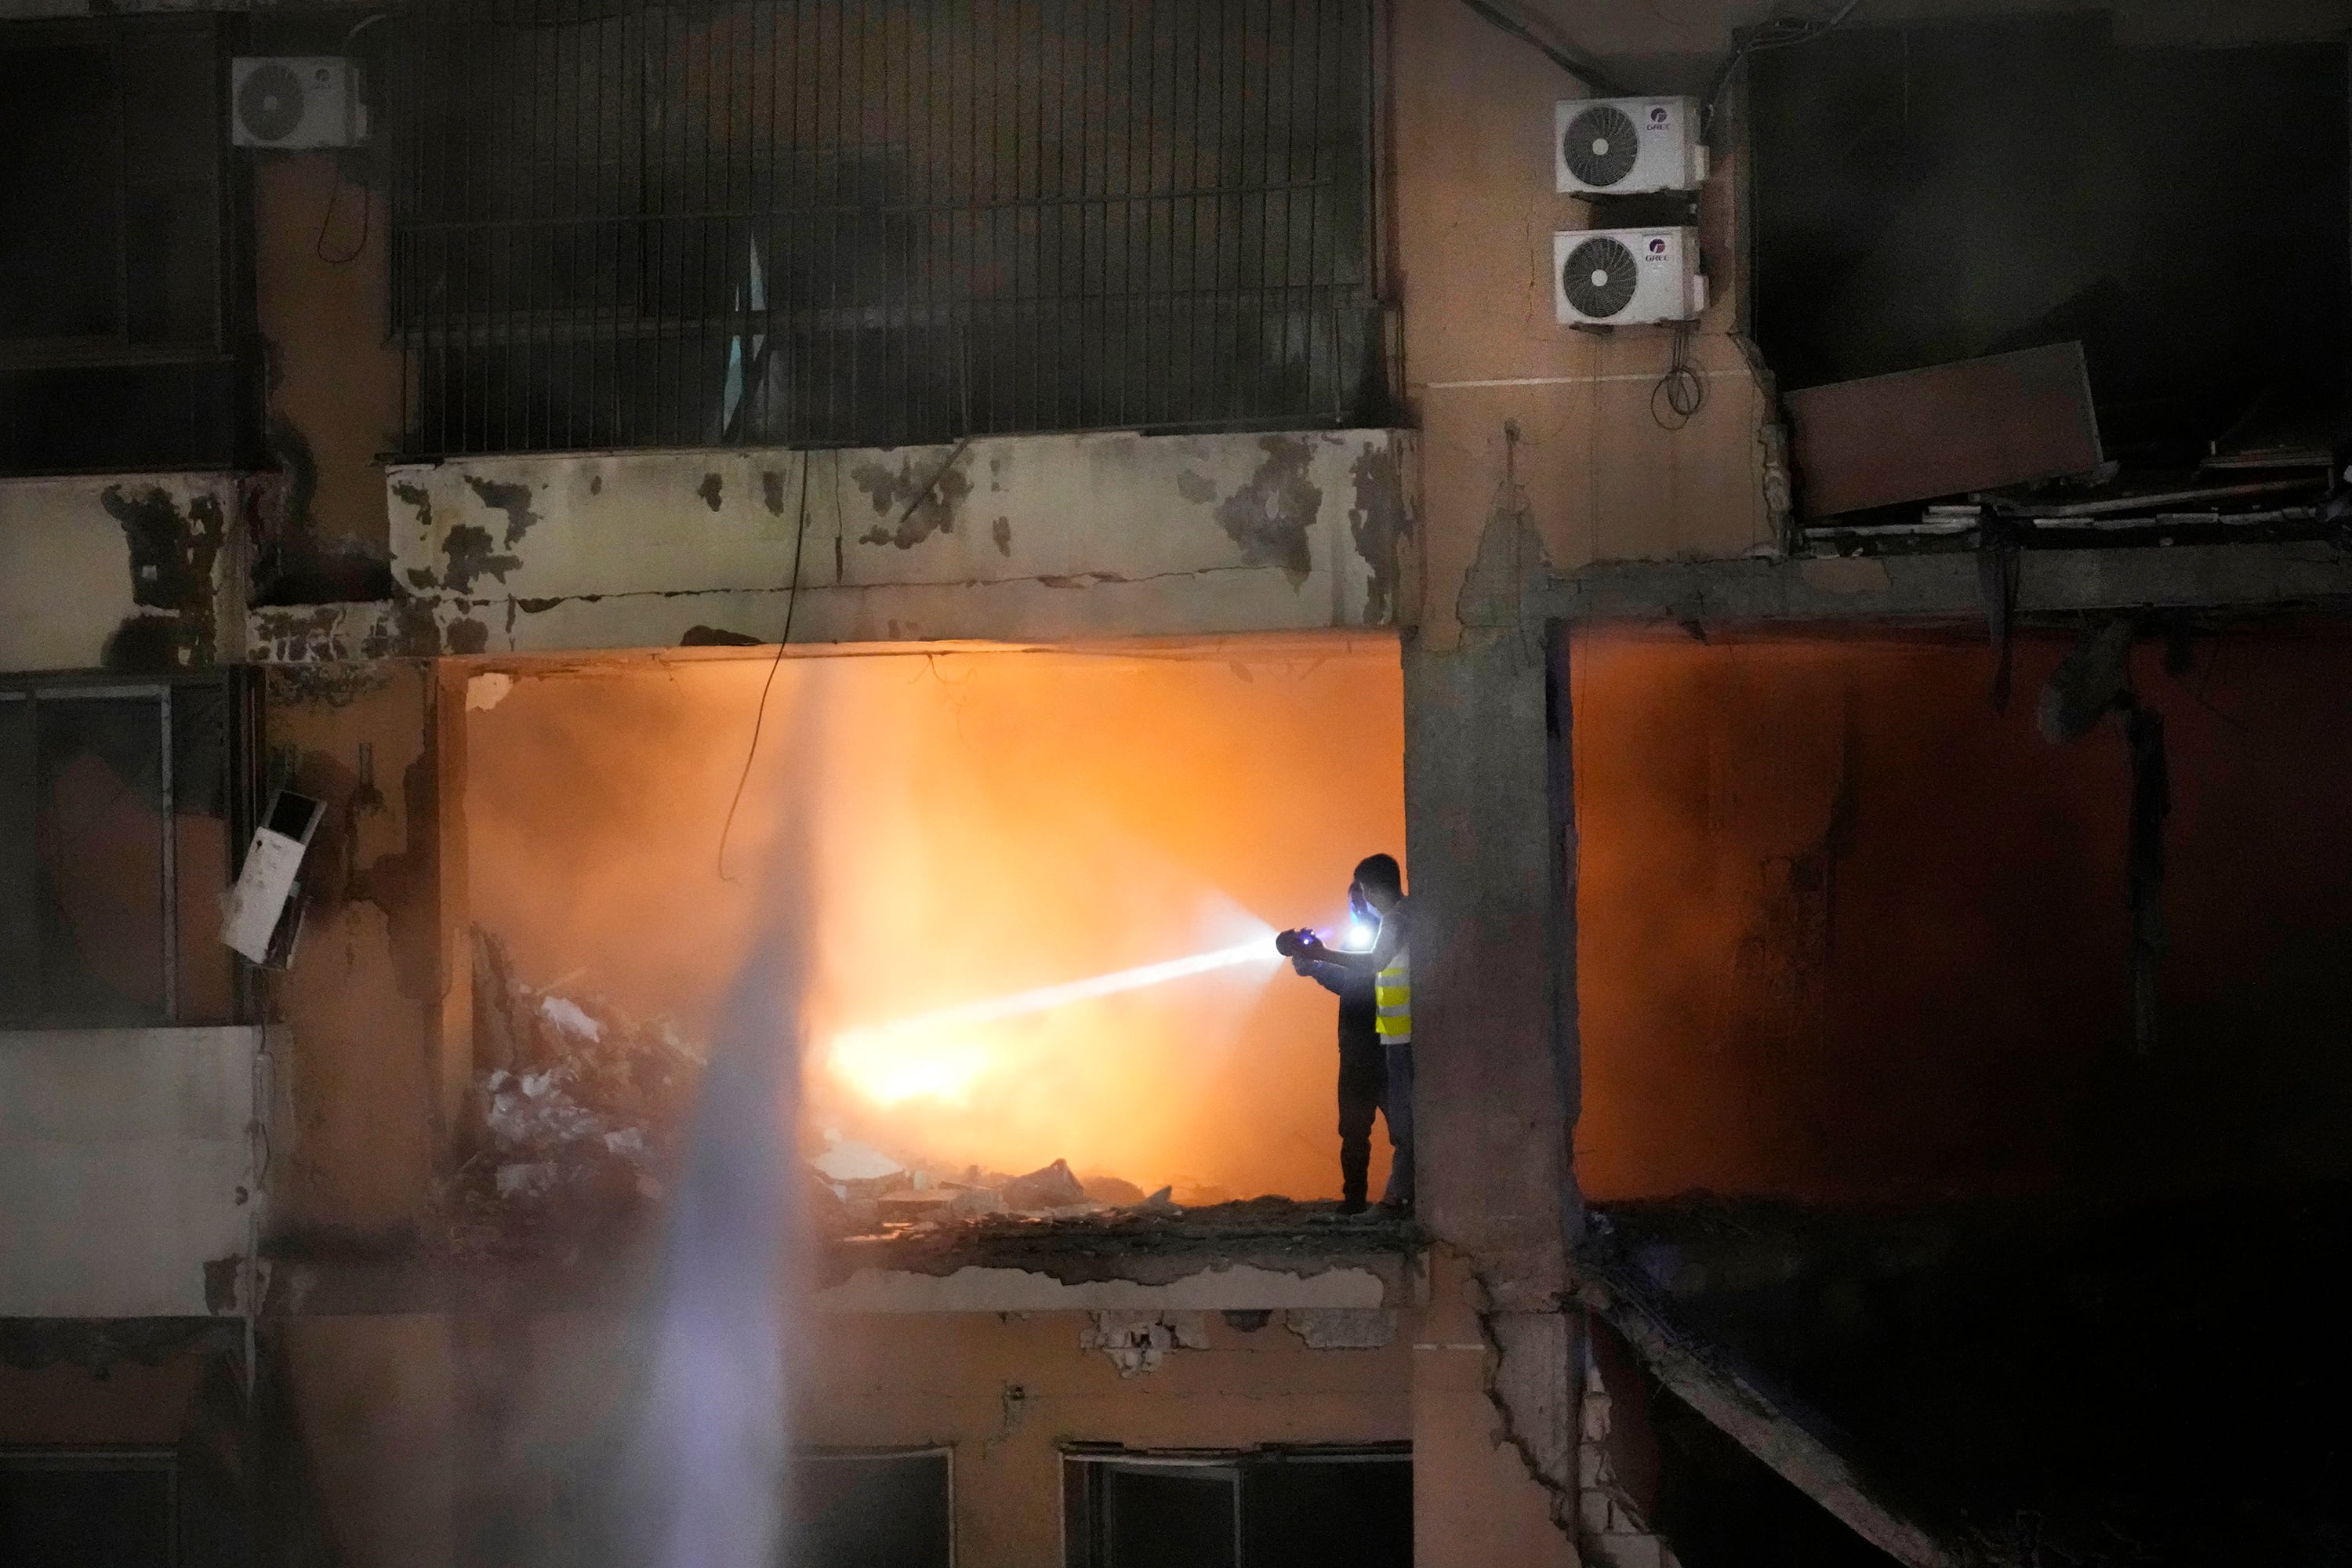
[{"x": 1250, "y": 1510}]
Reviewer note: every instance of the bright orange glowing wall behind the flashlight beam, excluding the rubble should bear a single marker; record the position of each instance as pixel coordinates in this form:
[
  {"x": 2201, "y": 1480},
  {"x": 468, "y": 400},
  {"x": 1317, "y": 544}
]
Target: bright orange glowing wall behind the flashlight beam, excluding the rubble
[{"x": 980, "y": 824}]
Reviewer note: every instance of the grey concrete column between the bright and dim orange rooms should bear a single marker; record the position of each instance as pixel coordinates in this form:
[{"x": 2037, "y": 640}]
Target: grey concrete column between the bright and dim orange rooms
[{"x": 1490, "y": 838}]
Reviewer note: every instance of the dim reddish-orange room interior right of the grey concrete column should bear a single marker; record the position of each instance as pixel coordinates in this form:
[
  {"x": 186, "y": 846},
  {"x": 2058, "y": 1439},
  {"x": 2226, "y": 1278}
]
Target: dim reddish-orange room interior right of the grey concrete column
[{"x": 1847, "y": 934}]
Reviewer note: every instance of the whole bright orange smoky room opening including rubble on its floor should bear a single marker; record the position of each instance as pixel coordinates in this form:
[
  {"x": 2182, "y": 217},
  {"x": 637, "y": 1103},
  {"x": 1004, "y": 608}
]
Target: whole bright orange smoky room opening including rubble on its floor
[{"x": 996, "y": 824}]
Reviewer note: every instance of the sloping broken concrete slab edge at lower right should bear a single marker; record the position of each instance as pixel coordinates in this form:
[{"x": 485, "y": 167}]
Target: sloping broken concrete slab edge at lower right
[{"x": 1749, "y": 1419}]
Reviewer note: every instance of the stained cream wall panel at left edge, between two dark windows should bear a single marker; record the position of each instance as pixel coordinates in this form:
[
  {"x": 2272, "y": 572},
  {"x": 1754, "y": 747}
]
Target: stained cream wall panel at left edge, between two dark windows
[{"x": 121, "y": 572}]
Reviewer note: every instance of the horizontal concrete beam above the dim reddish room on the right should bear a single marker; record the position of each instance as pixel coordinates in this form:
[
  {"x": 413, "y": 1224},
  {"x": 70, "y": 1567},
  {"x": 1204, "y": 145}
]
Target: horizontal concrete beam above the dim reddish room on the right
[{"x": 2252, "y": 577}]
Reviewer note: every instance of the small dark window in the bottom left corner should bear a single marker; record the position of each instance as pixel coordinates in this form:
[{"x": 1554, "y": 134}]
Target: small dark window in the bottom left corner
[{"x": 88, "y": 1508}]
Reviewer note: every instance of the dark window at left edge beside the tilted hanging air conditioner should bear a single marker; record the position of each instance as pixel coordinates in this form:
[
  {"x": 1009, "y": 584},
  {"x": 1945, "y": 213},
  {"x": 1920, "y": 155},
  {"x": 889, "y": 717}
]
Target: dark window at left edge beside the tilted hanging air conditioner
[{"x": 119, "y": 836}]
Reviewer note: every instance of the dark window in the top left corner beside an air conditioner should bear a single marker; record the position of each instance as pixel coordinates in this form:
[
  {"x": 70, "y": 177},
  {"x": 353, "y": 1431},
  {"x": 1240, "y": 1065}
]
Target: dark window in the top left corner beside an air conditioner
[{"x": 116, "y": 264}]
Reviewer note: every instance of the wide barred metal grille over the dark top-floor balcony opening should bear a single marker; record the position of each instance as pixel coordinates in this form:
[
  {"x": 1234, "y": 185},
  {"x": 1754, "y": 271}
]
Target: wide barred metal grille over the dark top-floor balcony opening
[{"x": 883, "y": 222}]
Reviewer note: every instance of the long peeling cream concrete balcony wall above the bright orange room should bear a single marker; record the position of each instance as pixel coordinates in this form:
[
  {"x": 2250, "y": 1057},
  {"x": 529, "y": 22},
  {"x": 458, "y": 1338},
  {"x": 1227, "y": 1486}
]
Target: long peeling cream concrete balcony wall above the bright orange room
[{"x": 996, "y": 540}]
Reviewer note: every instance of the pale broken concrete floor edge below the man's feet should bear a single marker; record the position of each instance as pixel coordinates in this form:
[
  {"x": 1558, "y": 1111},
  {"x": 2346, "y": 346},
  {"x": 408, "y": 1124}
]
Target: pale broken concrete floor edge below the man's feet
[{"x": 1215, "y": 1289}]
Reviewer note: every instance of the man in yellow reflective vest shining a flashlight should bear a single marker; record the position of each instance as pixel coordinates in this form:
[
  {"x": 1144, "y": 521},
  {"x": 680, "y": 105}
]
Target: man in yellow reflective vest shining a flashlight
[{"x": 1375, "y": 986}]
